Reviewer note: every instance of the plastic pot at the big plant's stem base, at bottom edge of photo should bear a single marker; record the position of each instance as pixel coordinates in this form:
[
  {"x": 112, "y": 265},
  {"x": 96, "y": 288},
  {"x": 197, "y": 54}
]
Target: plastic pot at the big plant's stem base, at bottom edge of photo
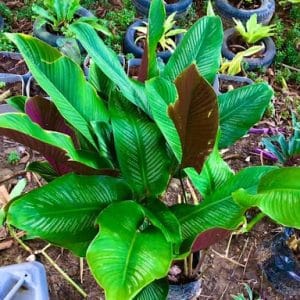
[{"x": 187, "y": 291}]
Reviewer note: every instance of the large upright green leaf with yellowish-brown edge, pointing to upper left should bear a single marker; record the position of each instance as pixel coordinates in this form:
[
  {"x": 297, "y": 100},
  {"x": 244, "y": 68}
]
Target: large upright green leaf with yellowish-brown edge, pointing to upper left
[{"x": 56, "y": 74}]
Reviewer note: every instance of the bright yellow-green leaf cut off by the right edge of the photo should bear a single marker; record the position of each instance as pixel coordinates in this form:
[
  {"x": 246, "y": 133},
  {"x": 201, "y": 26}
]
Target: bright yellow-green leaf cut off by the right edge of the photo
[{"x": 278, "y": 196}]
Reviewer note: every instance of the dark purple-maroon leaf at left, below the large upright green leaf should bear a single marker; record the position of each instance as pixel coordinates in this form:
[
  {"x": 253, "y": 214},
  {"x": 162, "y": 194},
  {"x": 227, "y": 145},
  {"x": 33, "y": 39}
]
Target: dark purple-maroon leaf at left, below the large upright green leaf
[{"x": 45, "y": 113}]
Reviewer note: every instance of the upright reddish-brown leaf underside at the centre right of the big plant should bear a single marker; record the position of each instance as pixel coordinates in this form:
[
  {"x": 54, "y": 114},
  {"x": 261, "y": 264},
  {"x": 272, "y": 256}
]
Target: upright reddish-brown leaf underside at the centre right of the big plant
[{"x": 195, "y": 115}]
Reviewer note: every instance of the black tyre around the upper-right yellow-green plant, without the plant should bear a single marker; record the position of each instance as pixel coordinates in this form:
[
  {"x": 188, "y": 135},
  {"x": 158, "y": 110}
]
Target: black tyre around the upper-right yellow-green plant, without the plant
[{"x": 266, "y": 58}]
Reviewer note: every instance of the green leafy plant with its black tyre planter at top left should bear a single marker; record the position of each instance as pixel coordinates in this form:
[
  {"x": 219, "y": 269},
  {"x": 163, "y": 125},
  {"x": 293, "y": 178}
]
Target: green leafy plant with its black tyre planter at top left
[{"x": 55, "y": 16}]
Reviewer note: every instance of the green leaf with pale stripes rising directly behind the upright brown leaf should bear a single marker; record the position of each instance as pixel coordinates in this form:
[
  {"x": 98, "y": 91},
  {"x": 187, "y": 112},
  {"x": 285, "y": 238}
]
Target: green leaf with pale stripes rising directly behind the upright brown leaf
[{"x": 201, "y": 45}]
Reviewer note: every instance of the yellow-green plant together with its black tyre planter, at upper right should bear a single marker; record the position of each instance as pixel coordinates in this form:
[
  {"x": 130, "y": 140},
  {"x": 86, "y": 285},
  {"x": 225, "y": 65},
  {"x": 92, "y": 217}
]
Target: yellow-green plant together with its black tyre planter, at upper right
[{"x": 241, "y": 38}]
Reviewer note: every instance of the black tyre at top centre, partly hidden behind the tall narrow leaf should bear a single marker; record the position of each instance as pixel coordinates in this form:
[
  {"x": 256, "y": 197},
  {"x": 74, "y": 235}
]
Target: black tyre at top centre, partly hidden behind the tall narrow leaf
[{"x": 180, "y": 6}]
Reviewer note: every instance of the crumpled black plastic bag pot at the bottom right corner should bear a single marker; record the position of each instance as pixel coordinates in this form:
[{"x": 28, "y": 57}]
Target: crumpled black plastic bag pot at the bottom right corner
[{"x": 281, "y": 266}]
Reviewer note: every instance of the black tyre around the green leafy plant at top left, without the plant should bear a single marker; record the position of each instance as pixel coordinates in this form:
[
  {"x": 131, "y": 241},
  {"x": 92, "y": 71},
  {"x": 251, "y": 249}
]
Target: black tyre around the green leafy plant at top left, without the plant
[{"x": 52, "y": 39}]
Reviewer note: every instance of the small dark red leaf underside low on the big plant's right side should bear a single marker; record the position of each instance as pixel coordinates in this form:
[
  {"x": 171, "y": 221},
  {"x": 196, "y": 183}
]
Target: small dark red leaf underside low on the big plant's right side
[{"x": 209, "y": 237}]
